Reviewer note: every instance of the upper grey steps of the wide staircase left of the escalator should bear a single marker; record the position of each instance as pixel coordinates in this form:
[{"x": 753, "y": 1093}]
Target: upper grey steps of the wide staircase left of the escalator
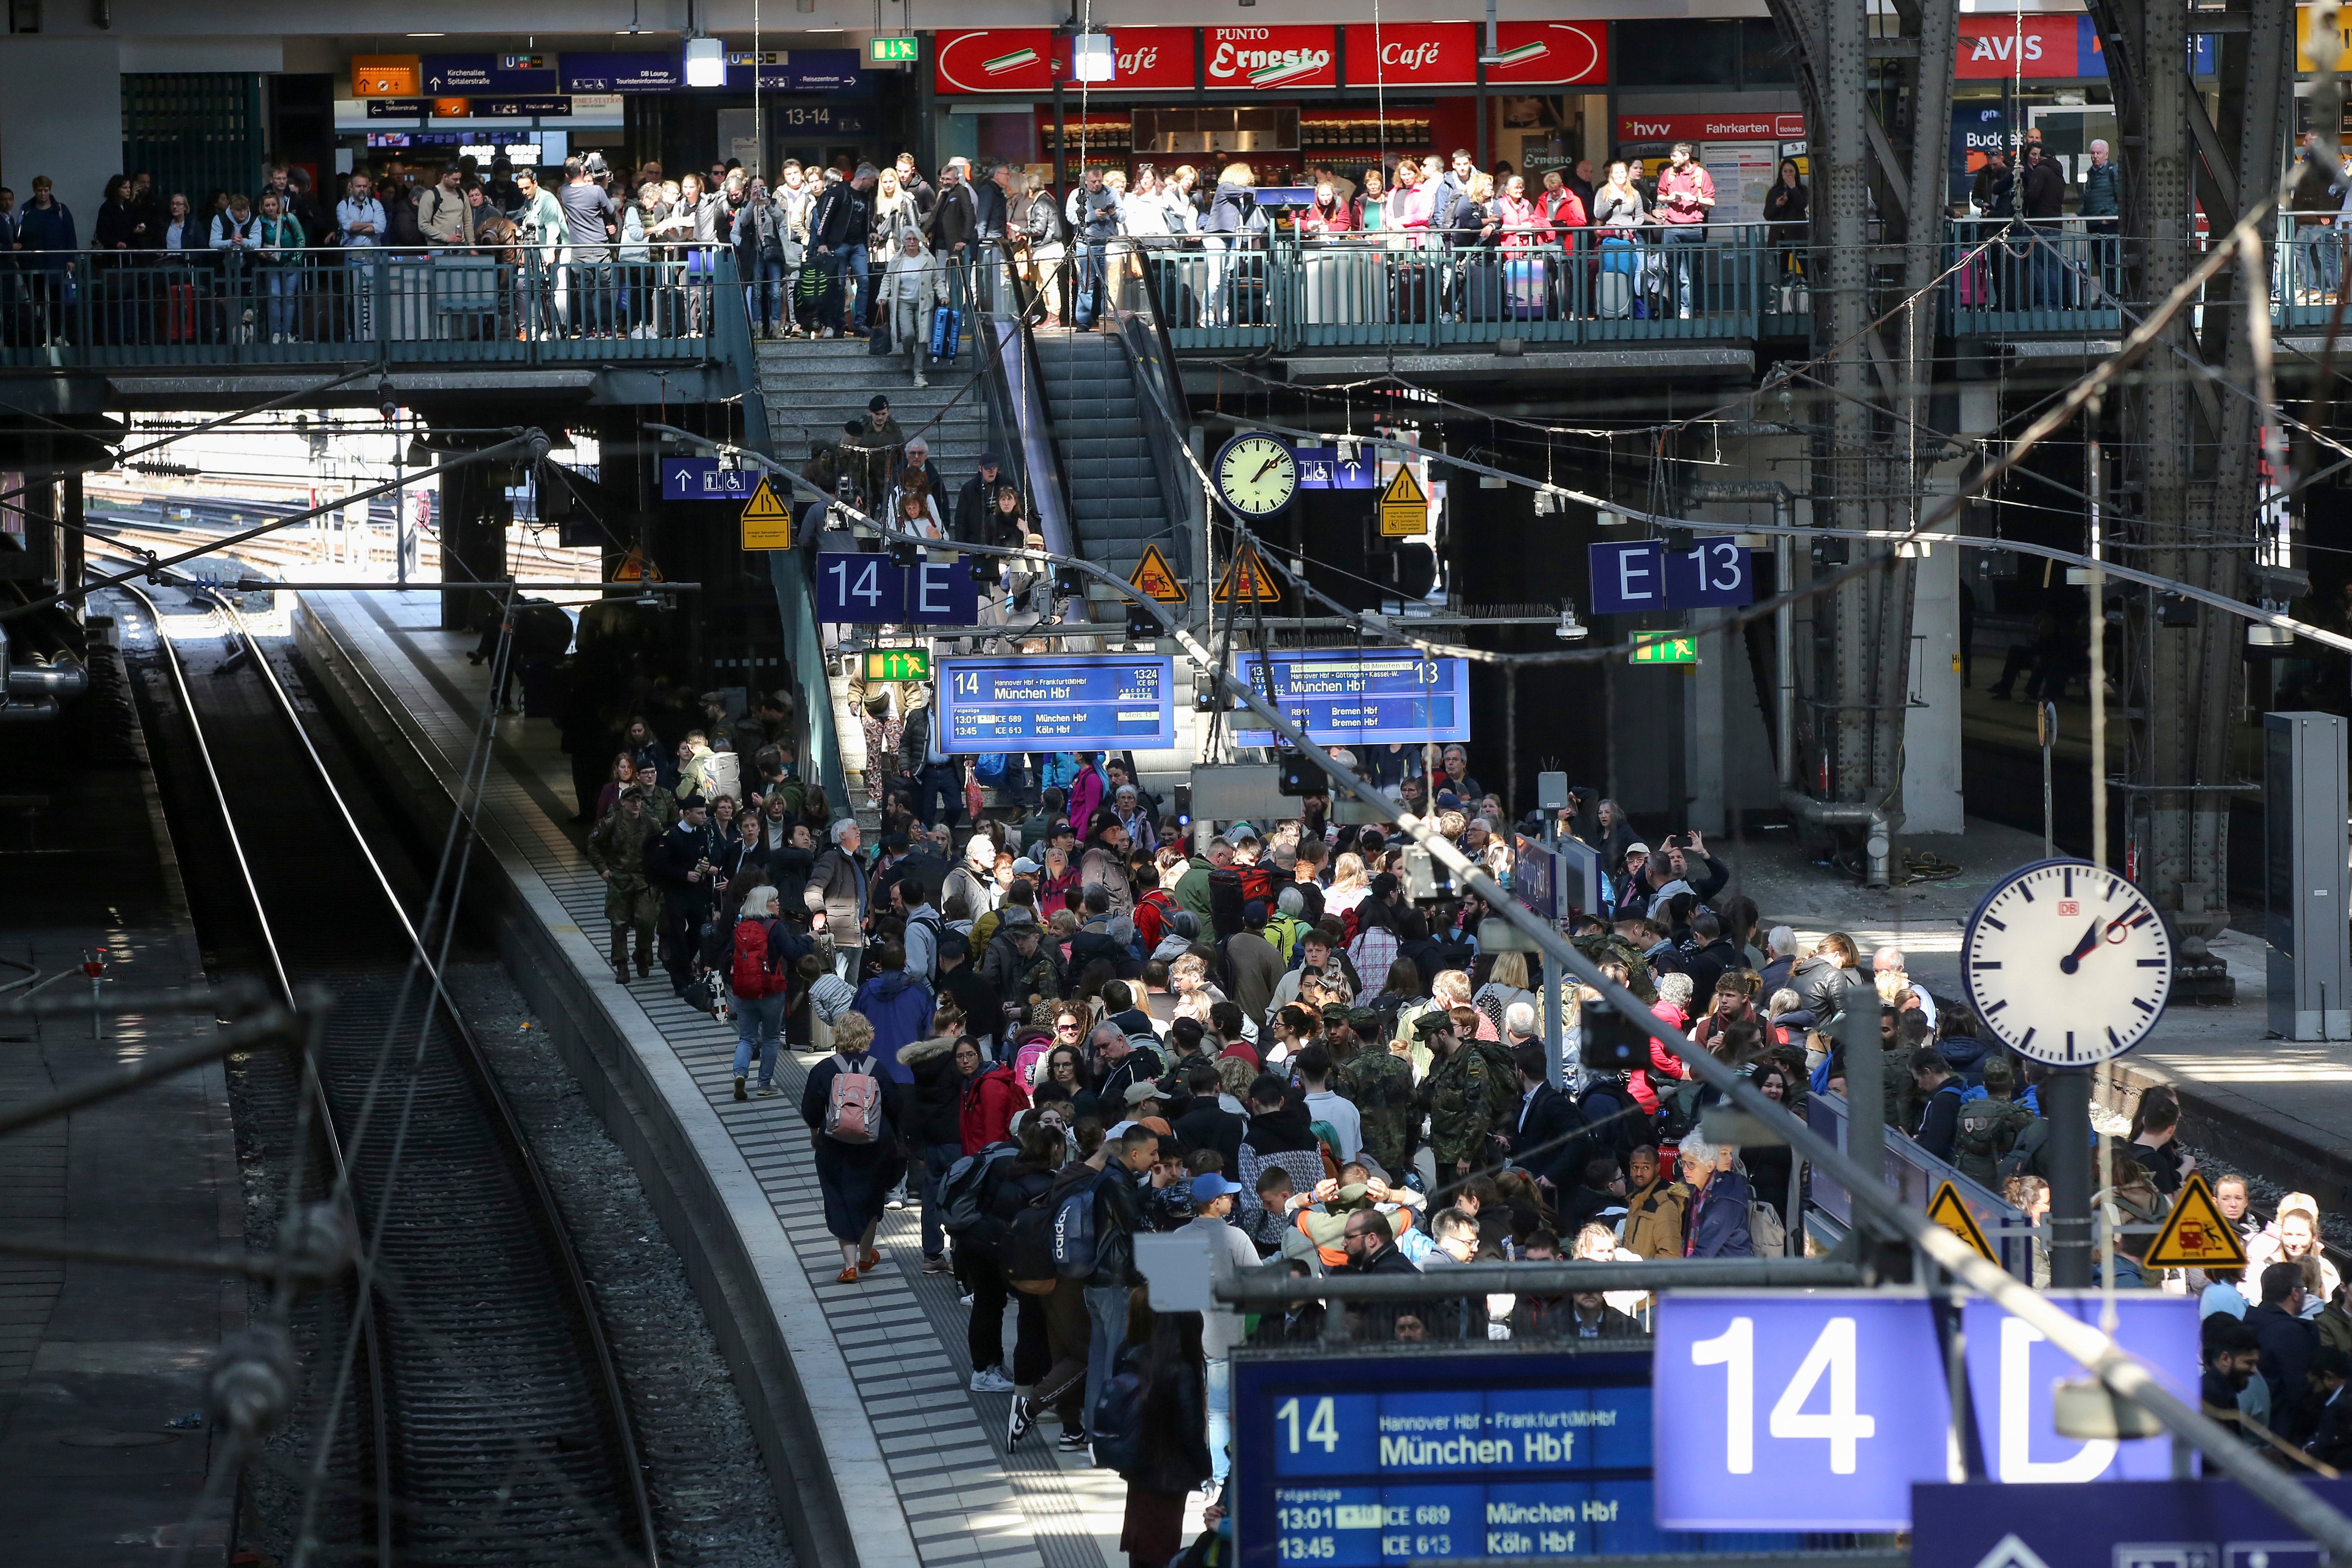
[{"x": 815, "y": 387}]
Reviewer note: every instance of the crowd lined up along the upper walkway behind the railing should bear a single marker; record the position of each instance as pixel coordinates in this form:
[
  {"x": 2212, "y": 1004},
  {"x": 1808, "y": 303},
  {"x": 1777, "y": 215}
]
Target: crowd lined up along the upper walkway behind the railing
[{"x": 838, "y": 250}]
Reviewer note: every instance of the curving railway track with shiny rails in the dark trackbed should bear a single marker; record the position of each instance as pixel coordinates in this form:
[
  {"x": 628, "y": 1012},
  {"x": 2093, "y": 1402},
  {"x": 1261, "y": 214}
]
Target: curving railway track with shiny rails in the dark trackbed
[{"x": 462, "y": 1402}]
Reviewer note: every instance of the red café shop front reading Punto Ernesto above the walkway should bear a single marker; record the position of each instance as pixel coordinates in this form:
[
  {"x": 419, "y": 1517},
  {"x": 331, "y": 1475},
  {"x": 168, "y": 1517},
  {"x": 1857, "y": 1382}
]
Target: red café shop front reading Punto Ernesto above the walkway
[{"x": 1278, "y": 98}]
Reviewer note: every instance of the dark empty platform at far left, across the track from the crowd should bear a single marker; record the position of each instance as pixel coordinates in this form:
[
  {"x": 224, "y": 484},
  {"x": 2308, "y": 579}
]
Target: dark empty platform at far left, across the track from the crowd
[{"x": 102, "y": 1365}]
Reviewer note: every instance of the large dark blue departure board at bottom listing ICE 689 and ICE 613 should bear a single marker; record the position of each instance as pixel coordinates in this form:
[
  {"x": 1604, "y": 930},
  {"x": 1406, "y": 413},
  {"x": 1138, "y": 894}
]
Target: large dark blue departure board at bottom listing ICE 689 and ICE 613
[{"x": 1389, "y": 1461}]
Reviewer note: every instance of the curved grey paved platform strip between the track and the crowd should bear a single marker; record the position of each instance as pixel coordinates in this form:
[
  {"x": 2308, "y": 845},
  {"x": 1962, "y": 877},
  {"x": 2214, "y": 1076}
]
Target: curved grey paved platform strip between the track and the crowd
[{"x": 860, "y": 1393}]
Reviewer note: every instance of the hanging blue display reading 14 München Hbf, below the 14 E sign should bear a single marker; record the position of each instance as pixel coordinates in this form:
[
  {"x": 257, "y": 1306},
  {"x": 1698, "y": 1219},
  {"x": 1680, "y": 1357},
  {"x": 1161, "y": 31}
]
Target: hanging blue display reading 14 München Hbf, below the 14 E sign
[{"x": 1057, "y": 704}]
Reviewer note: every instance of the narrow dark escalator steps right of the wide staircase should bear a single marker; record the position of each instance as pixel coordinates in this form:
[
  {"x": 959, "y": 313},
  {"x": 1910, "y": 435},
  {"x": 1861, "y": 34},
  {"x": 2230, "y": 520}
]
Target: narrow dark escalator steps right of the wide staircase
[{"x": 1116, "y": 504}]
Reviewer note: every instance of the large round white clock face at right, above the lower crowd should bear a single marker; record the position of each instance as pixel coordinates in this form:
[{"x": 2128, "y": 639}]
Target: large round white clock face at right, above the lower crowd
[{"x": 2069, "y": 963}]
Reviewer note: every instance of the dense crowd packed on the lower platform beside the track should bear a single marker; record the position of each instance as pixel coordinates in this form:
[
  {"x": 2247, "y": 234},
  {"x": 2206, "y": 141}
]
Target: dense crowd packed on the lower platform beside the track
[{"x": 1064, "y": 1024}]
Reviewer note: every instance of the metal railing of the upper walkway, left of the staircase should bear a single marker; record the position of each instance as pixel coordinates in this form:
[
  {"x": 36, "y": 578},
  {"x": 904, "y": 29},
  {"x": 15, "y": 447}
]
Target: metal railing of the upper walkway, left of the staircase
[{"x": 370, "y": 304}]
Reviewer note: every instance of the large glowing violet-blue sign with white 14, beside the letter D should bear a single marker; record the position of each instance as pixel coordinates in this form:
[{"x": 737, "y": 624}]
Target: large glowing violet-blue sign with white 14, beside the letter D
[{"x": 1798, "y": 1414}]
